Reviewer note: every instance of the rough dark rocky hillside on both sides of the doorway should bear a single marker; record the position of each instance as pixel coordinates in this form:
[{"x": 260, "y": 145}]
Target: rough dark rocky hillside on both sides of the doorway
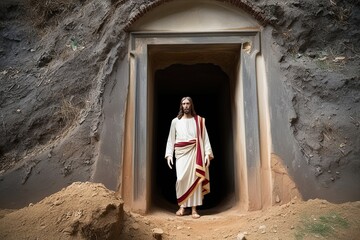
[{"x": 55, "y": 63}]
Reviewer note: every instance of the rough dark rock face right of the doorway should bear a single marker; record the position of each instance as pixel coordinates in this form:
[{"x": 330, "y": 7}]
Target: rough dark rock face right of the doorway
[{"x": 319, "y": 65}]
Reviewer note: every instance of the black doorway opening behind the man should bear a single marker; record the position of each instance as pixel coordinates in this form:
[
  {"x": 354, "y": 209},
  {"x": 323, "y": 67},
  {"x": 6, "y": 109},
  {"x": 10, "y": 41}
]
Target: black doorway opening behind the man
[{"x": 209, "y": 87}]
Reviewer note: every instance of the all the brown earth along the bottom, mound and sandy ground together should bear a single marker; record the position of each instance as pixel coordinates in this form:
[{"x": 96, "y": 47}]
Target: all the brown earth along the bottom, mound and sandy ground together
[{"x": 90, "y": 211}]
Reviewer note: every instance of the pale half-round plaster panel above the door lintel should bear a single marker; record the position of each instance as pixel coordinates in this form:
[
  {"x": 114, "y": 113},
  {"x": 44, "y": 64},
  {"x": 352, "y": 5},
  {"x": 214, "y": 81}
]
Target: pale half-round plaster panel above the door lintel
[{"x": 195, "y": 16}]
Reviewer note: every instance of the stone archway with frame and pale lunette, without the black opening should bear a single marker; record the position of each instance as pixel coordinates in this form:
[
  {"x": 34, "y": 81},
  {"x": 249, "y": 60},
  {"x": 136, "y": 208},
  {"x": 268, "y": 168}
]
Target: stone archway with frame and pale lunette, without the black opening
[{"x": 235, "y": 52}]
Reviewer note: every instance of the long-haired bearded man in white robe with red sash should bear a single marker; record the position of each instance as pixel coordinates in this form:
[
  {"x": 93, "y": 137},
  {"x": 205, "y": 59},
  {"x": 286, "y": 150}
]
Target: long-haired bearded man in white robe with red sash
[{"x": 189, "y": 138}]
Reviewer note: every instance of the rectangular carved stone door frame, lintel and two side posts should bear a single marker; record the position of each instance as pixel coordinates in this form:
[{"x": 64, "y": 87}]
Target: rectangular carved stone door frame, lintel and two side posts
[{"x": 245, "y": 114}]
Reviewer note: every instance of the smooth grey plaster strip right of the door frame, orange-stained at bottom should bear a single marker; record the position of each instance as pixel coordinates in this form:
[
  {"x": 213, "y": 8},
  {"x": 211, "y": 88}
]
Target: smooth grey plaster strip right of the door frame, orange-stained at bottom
[{"x": 283, "y": 145}]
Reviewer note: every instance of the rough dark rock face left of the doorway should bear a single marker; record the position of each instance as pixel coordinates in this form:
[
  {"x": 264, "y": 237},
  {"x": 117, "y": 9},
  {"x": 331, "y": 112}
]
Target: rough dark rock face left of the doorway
[{"x": 51, "y": 85}]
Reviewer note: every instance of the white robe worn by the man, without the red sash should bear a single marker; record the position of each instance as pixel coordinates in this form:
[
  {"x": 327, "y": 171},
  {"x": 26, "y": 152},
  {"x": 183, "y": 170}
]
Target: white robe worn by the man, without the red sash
[{"x": 184, "y": 130}]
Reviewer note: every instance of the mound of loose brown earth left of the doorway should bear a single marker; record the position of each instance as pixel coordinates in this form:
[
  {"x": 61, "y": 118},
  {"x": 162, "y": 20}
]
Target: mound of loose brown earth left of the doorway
[{"x": 80, "y": 211}]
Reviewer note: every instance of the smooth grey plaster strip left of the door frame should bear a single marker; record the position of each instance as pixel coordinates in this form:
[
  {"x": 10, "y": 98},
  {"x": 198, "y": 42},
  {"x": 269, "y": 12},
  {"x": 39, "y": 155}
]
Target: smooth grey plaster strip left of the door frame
[{"x": 109, "y": 168}]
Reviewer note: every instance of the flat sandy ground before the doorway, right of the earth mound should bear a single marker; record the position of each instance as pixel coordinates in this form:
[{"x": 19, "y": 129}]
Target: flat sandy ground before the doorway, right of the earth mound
[{"x": 297, "y": 220}]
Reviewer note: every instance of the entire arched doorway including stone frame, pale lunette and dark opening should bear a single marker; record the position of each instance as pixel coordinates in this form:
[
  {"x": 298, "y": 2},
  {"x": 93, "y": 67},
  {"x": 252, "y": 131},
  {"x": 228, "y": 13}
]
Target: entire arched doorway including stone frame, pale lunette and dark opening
[{"x": 154, "y": 58}]
